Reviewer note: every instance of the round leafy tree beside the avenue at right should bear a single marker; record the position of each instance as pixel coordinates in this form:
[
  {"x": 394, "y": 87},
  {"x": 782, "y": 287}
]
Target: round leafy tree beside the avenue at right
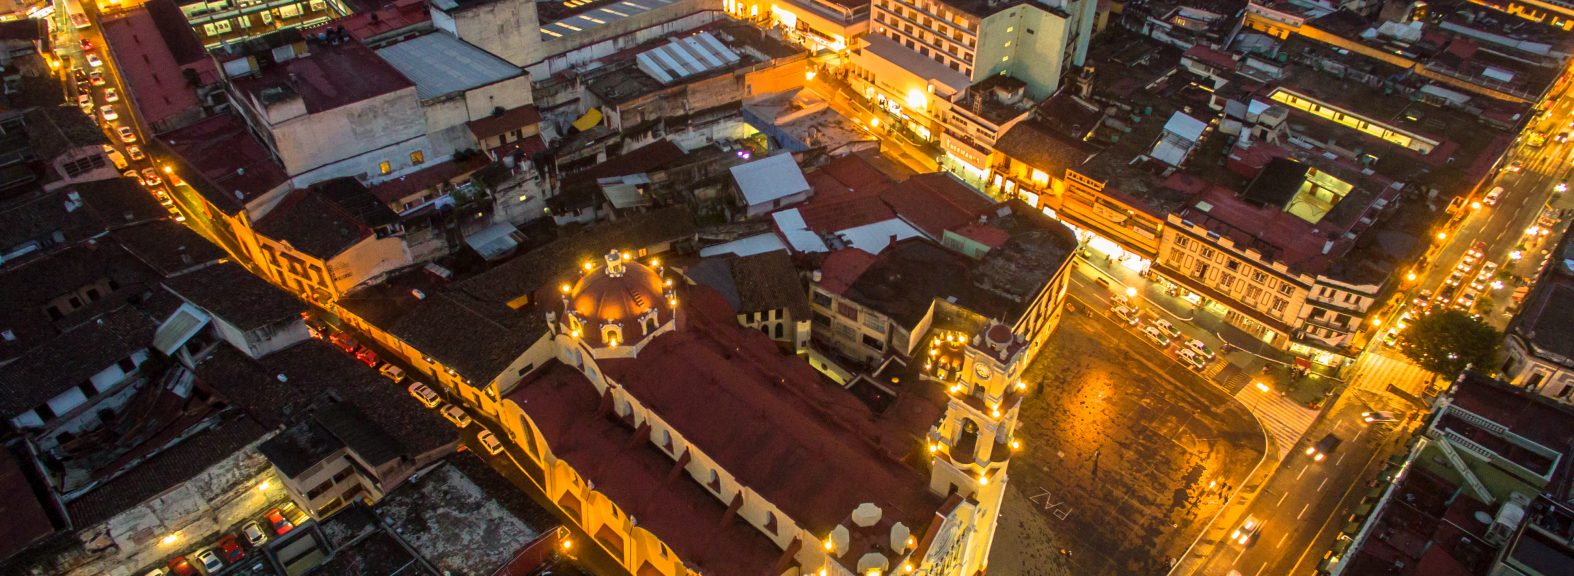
[{"x": 1447, "y": 341}]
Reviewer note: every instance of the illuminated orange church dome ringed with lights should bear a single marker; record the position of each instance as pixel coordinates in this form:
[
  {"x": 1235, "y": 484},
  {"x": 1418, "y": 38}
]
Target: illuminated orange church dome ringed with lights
[{"x": 619, "y": 303}]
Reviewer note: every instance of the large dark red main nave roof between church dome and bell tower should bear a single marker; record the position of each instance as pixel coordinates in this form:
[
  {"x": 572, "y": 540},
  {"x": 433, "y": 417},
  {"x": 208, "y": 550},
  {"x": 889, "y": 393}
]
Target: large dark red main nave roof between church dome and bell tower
[{"x": 759, "y": 413}]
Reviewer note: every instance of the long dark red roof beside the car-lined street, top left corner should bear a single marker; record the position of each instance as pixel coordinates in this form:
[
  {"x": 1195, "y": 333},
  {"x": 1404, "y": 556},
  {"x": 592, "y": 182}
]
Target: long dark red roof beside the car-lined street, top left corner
[{"x": 153, "y": 72}]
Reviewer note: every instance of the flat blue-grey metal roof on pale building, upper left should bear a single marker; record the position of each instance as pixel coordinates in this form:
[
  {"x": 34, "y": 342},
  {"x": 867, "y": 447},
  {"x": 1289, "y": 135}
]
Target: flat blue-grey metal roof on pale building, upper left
[{"x": 443, "y": 65}]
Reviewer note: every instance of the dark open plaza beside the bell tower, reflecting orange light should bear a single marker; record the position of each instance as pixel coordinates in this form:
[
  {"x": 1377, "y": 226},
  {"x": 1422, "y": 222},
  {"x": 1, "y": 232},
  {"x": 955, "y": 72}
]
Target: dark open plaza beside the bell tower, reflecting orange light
[{"x": 1126, "y": 457}]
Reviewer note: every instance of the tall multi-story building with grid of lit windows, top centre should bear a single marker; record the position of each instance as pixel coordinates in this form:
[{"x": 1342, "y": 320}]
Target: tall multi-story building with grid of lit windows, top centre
[{"x": 922, "y": 54}]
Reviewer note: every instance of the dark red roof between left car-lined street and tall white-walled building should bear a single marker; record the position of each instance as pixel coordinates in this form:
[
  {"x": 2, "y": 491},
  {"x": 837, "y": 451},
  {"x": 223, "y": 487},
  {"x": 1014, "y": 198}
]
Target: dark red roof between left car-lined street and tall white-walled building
[{"x": 224, "y": 163}]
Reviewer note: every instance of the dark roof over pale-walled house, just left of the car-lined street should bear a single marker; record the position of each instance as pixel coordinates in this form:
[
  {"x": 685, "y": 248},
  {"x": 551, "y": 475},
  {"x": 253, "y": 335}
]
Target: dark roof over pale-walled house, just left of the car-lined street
[{"x": 237, "y": 297}]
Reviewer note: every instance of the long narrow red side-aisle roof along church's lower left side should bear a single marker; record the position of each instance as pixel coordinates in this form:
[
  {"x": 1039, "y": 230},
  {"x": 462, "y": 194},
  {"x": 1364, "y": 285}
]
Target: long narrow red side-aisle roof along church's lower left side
[{"x": 637, "y": 476}]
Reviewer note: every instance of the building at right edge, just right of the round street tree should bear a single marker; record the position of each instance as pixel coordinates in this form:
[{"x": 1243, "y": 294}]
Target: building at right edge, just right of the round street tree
[{"x": 1539, "y": 341}]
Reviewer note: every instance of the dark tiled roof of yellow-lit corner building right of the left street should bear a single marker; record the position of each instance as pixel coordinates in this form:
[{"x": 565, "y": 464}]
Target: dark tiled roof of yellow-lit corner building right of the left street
[{"x": 328, "y": 218}]
